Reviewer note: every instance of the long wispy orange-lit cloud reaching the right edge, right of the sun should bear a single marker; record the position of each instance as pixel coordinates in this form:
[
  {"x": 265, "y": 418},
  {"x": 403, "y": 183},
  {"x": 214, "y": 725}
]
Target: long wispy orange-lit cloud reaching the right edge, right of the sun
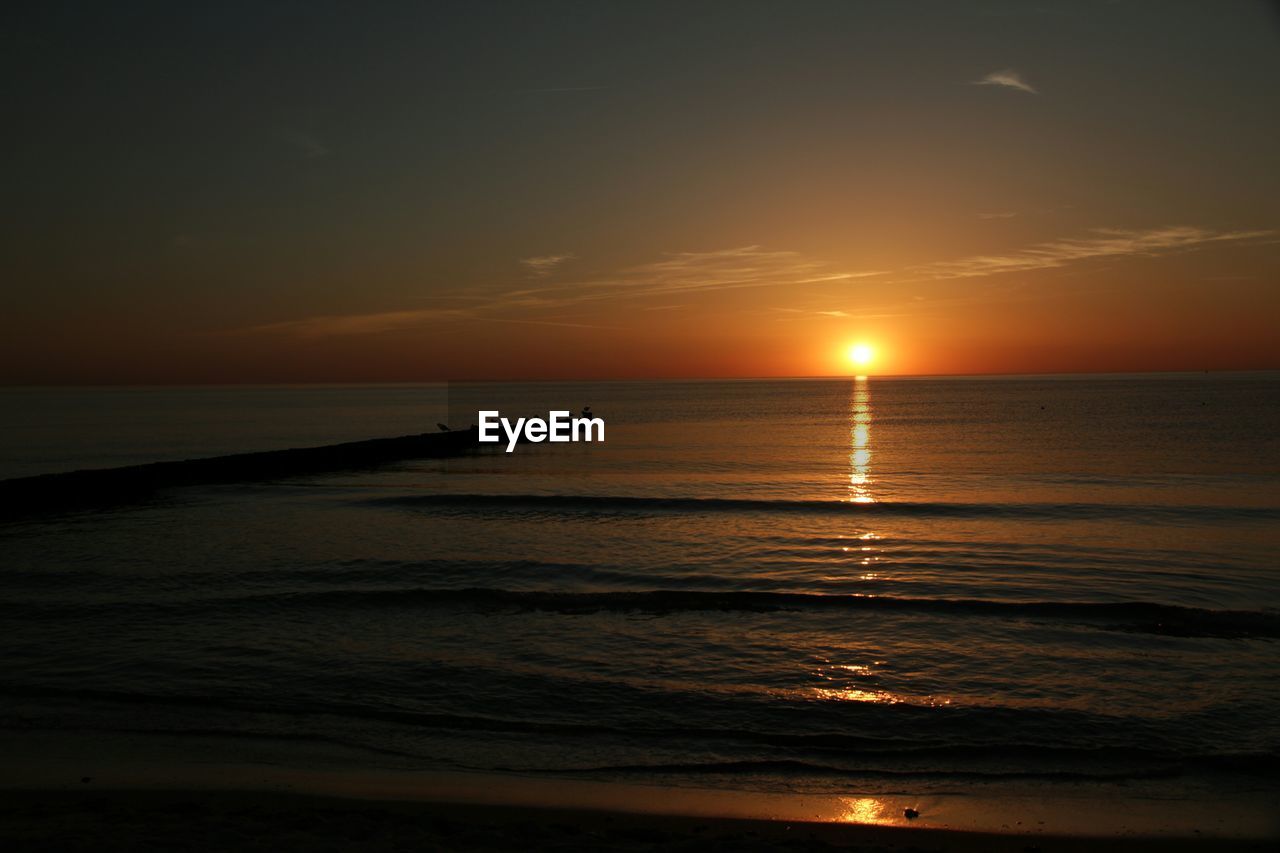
[{"x": 1101, "y": 243}]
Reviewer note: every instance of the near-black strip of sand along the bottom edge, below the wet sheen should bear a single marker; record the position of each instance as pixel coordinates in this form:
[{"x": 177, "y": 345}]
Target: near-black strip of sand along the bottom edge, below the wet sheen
[{"x": 218, "y": 820}]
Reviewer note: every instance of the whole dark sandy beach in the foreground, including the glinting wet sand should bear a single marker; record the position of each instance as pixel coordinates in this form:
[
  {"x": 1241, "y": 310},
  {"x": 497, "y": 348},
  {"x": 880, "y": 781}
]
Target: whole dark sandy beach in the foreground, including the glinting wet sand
[{"x": 66, "y": 791}]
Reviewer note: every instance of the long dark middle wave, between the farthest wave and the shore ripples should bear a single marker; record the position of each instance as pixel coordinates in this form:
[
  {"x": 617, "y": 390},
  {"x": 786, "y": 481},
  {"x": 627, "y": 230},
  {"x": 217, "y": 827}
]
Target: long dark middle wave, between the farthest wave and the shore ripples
[{"x": 1150, "y": 618}]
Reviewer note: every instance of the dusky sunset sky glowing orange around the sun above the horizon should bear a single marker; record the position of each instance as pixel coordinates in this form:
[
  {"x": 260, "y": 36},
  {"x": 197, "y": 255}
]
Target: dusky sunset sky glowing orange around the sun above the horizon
[{"x": 248, "y": 193}]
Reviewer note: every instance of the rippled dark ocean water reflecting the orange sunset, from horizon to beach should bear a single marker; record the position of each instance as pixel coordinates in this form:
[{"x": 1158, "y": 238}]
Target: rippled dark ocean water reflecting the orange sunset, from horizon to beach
[{"x": 816, "y": 586}]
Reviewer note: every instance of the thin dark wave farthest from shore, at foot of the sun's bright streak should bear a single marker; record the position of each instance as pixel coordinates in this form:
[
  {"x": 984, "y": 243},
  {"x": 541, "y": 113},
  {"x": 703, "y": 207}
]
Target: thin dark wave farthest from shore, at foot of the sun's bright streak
[{"x": 589, "y": 504}]
